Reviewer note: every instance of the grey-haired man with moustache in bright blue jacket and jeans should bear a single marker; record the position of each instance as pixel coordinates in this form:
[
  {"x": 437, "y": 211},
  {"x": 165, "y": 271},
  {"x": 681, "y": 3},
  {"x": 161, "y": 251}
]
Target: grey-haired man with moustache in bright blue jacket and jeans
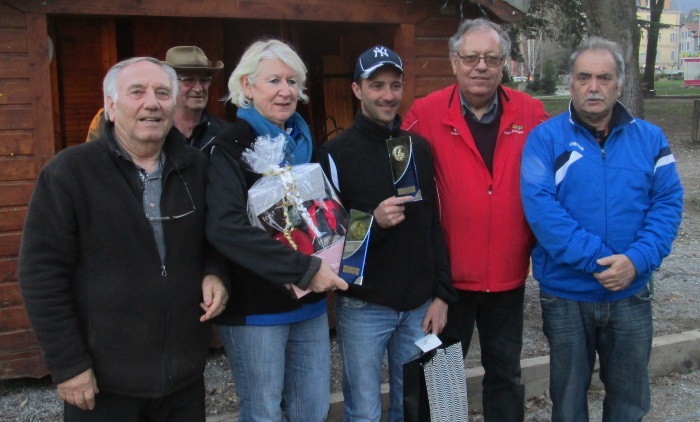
[{"x": 602, "y": 195}]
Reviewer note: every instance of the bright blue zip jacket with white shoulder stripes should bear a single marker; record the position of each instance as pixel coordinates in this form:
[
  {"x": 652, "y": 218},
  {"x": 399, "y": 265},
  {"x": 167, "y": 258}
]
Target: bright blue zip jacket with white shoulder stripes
[{"x": 584, "y": 203}]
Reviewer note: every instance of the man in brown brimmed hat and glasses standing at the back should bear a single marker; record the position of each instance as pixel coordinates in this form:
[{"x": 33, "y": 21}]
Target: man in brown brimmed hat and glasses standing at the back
[{"x": 194, "y": 76}]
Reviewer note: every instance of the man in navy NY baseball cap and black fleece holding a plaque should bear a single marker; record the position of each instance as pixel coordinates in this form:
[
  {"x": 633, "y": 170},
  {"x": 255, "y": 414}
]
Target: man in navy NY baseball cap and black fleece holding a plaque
[{"x": 406, "y": 284}]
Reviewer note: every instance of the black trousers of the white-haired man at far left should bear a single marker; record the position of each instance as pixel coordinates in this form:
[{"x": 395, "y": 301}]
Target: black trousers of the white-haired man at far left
[{"x": 184, "y": 405}]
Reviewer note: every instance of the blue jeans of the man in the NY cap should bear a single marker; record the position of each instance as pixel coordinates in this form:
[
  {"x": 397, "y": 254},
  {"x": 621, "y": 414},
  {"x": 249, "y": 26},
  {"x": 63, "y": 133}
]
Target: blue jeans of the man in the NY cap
[{"x": 365, "y": 331}]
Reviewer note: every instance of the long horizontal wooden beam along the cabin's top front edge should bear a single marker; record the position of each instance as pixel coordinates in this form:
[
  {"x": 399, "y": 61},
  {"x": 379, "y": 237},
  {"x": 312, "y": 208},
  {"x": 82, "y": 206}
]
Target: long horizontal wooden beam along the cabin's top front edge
[{"x": 365, "y": 11}]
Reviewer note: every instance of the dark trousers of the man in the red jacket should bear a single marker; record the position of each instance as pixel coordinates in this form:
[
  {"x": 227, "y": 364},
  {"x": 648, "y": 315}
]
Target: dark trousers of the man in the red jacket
[{"x": 499, "y": 320}]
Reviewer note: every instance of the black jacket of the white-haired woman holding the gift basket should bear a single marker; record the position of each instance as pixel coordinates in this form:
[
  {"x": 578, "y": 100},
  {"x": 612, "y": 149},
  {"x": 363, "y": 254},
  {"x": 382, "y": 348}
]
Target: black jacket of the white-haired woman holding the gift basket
[{"x": 259, "y": 266}]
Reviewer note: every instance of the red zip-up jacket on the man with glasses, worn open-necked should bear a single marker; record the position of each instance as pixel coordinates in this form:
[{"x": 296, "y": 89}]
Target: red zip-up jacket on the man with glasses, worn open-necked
[{"x": 488, "y": 238}]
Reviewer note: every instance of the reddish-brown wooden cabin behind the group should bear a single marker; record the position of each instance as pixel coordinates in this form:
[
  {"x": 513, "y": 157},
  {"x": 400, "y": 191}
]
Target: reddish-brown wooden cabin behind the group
[{"x": 55, "y": 53}]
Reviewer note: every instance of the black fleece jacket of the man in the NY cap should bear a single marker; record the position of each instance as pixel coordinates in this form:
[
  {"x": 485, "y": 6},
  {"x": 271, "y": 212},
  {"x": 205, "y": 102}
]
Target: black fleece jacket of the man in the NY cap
[{"x": 407, "y": 264}]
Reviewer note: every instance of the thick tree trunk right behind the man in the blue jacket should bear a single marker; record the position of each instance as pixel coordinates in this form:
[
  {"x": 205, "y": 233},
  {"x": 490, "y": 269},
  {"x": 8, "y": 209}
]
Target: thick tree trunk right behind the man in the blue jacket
[{"x": 616, "y": 20}]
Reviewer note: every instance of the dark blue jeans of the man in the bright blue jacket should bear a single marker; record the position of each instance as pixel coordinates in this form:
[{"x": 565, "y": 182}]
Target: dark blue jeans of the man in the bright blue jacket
[{"x": 621, "y": 333}]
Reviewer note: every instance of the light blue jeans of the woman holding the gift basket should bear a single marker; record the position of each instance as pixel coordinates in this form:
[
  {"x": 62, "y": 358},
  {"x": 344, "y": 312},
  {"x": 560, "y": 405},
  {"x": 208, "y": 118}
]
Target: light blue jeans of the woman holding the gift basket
[{"x": 281, "y": 362}]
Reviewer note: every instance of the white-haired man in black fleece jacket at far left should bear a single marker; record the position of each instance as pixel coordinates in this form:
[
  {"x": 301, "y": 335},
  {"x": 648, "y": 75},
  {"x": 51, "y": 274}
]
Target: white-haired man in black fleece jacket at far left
[{"x": 114, "y": 265}]
